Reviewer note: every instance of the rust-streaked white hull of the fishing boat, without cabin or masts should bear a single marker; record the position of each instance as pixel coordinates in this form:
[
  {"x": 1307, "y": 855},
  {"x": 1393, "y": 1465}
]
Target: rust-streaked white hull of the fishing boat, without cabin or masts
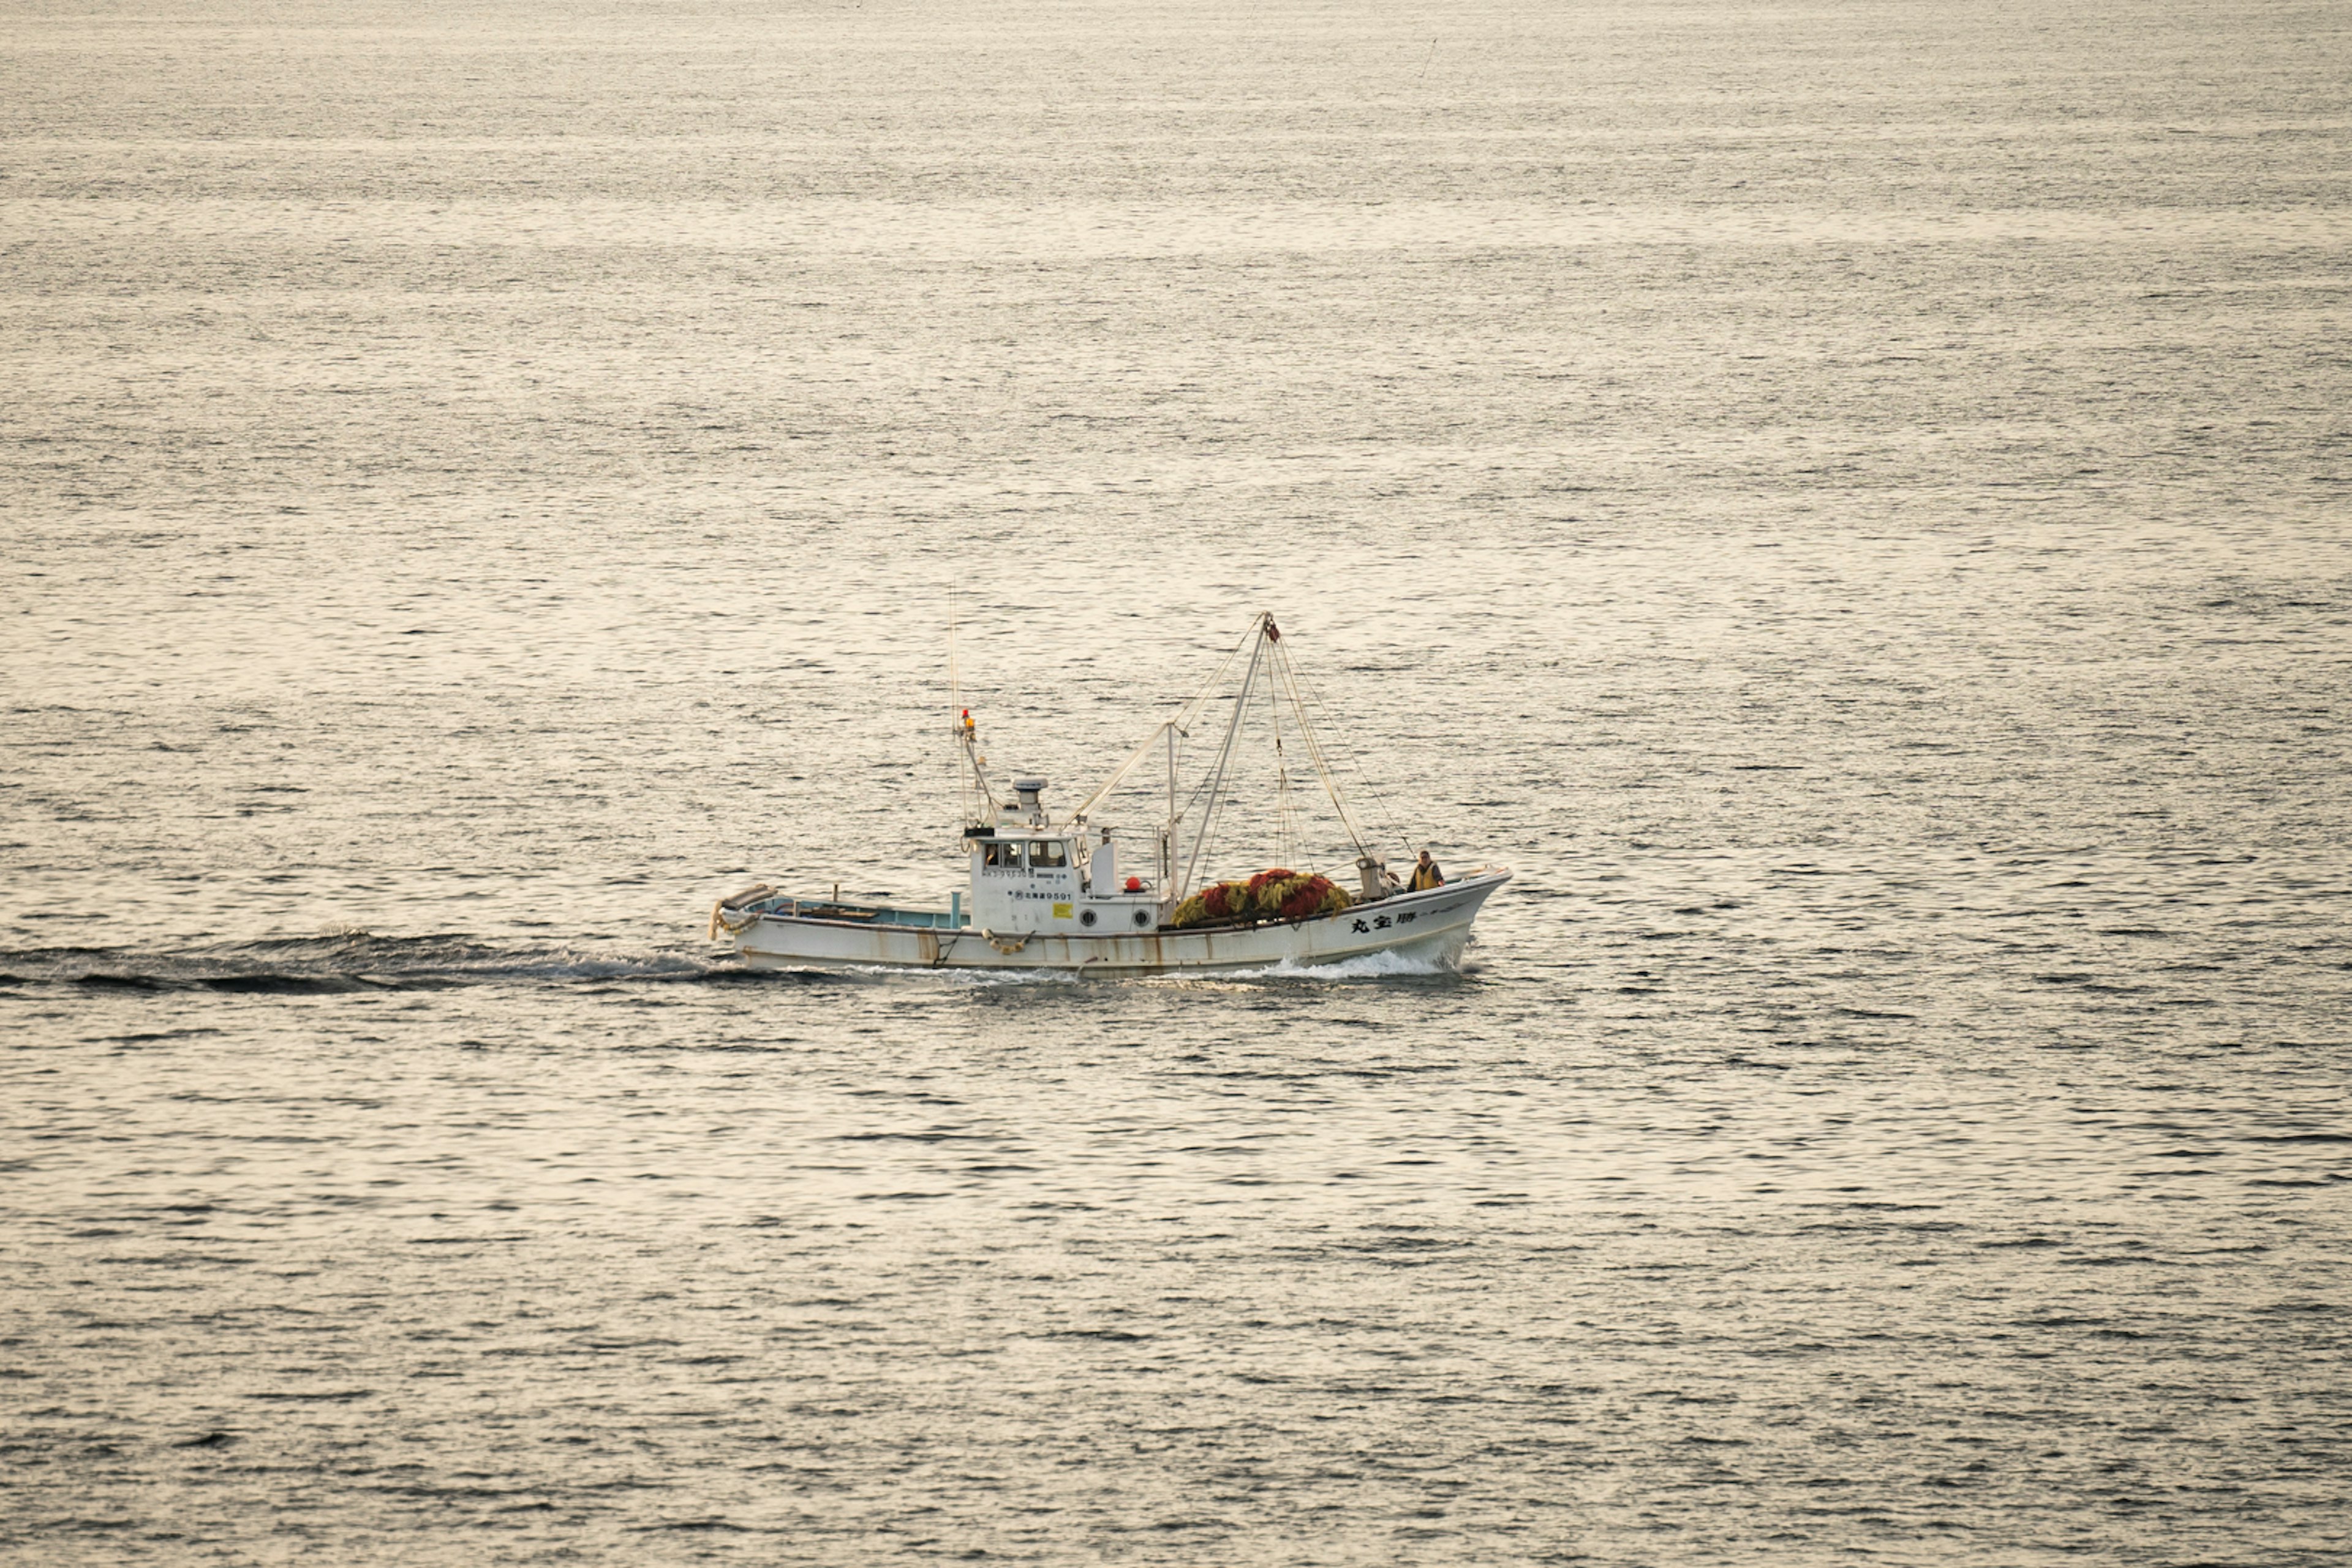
[{"x": 1419, "y": 927}]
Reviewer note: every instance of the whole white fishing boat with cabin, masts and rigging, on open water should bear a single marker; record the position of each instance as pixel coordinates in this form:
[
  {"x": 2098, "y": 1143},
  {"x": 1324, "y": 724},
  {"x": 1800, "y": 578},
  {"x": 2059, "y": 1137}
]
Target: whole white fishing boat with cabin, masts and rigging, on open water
[{"x": 1074, "y": 894}]
